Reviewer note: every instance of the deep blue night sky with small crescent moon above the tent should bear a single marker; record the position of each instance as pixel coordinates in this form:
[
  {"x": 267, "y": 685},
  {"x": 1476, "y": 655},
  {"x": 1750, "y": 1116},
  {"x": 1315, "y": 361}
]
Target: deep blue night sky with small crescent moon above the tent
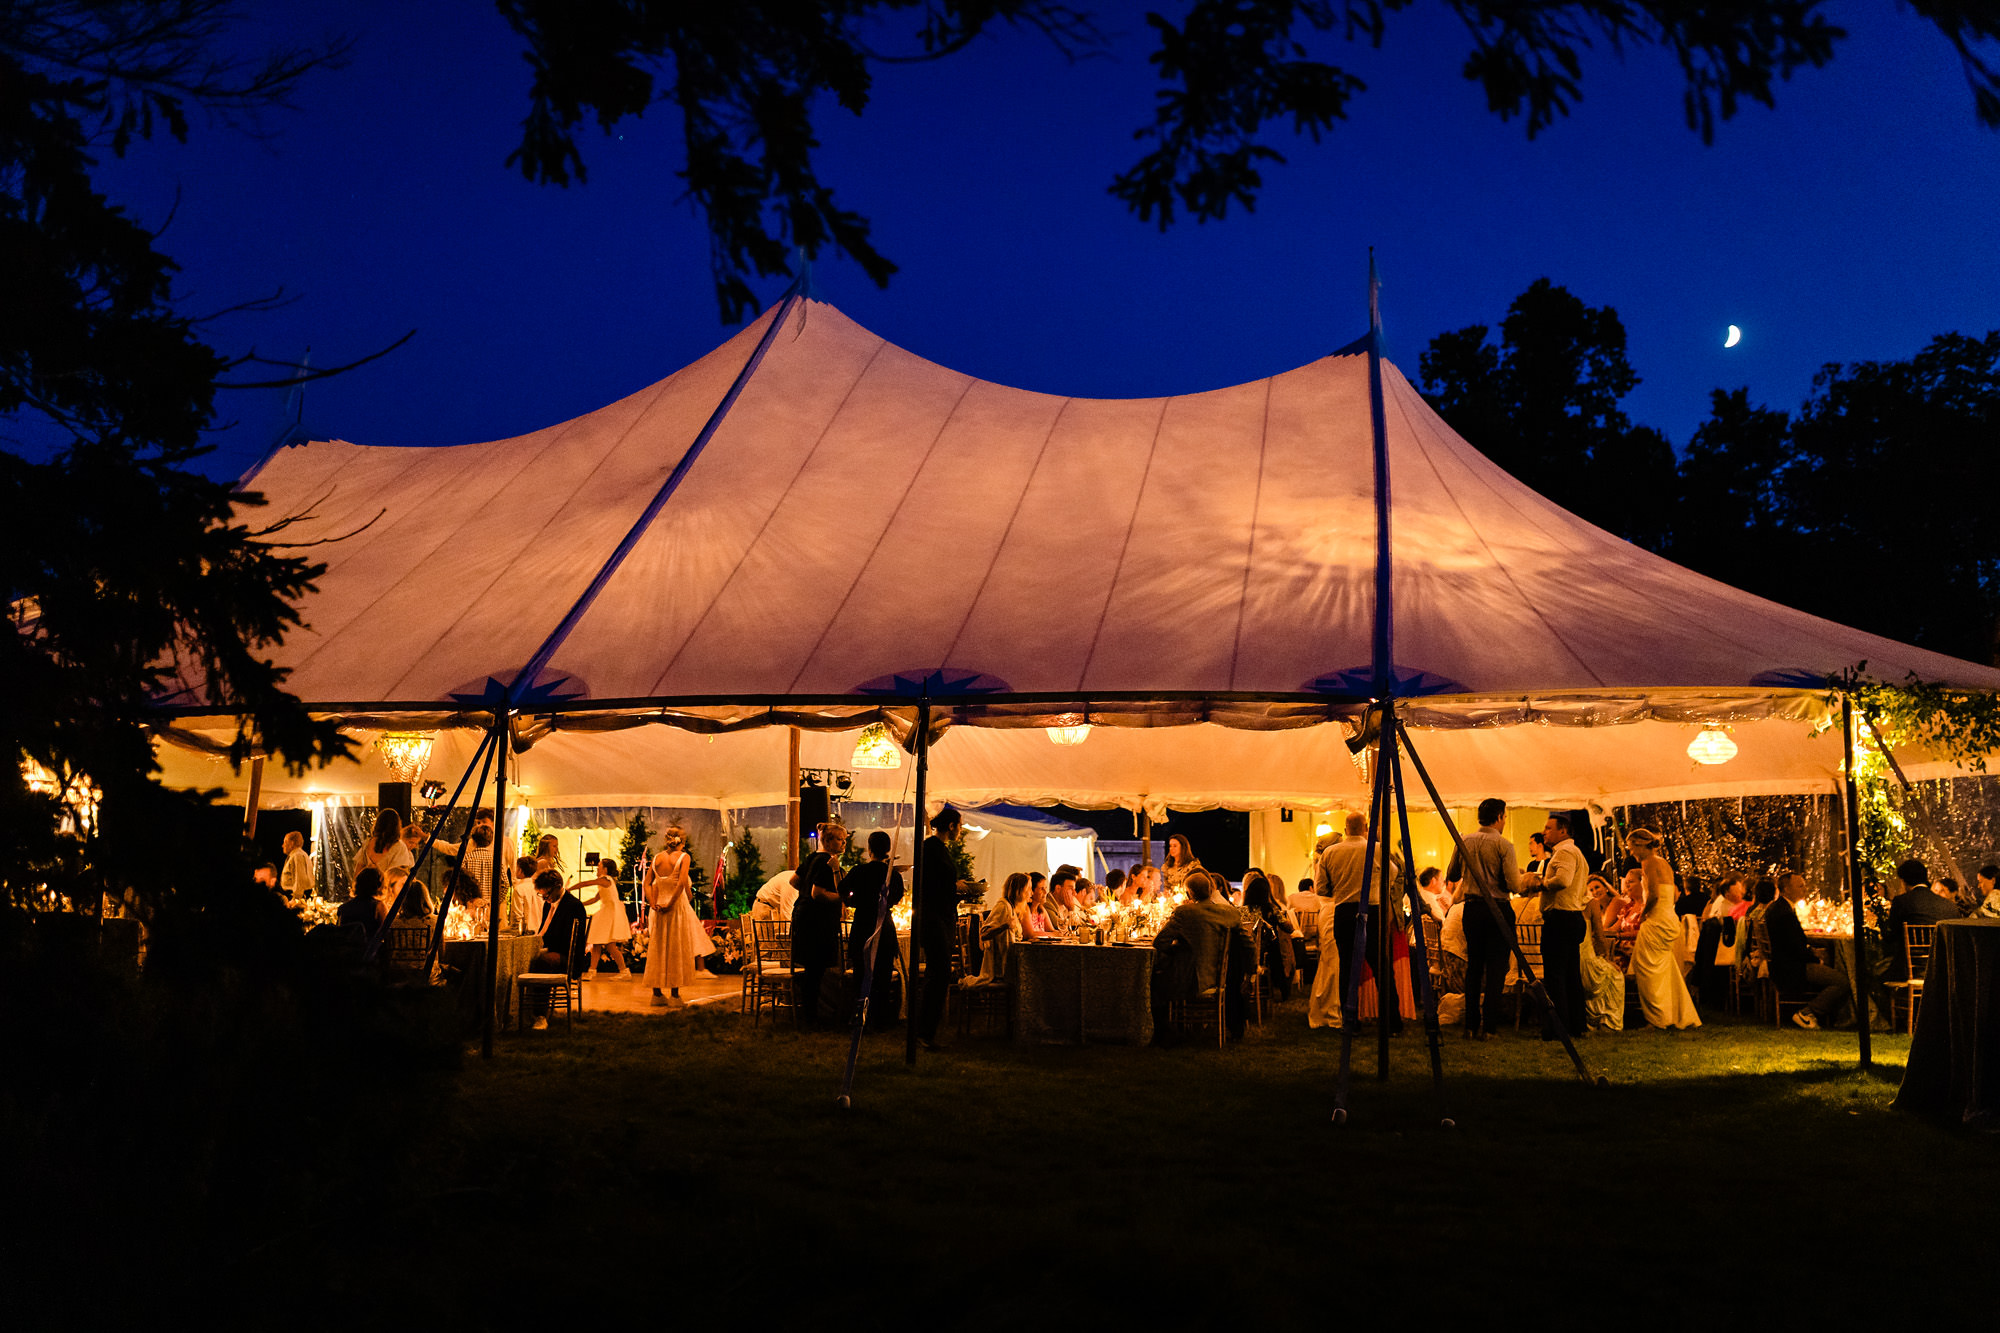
[{"x": 1853, "y": 223}]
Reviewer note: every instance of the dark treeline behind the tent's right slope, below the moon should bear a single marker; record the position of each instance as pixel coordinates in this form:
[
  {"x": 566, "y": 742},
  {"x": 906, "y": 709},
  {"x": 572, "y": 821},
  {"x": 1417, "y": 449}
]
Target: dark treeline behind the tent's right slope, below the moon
[{"x": 1871, "y": 503}]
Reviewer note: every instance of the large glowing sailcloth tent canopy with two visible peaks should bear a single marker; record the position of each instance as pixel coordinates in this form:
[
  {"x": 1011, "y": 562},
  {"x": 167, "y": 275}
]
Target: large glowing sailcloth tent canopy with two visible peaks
[{"x": 815, "y": 527}]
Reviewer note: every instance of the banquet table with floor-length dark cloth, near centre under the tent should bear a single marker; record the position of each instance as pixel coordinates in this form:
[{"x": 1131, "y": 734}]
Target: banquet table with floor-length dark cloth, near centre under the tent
[{"x": 1083, "y": 994}]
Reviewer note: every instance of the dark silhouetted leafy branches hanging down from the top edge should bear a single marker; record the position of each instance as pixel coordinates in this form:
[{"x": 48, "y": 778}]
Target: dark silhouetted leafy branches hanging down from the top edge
[{"x": 747, "y": 81}]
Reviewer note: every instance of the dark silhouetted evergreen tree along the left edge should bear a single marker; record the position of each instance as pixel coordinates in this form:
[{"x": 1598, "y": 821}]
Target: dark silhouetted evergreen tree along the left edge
[{"x": 131, "y": 575}]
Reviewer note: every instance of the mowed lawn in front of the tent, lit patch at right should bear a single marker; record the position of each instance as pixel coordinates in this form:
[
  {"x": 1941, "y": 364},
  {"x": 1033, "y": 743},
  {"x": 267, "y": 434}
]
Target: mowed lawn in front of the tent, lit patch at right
[{"x": 1727, "y": 1174}]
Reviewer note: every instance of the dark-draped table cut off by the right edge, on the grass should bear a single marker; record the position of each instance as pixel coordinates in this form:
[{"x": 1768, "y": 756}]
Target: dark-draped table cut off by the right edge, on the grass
[{"x": 1955, "y": 1056}]
